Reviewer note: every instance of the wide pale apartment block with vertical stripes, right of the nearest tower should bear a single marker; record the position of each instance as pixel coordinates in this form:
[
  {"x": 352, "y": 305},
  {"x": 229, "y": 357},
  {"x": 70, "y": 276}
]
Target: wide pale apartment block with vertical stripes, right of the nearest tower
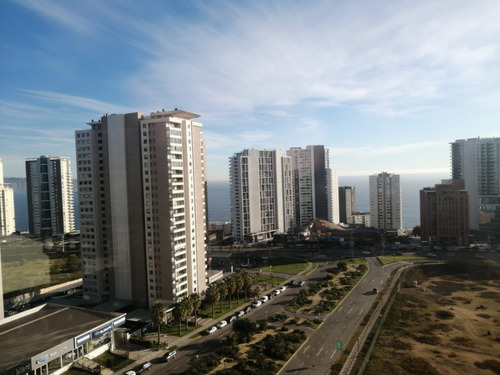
[{"x": 261, "y": 187}]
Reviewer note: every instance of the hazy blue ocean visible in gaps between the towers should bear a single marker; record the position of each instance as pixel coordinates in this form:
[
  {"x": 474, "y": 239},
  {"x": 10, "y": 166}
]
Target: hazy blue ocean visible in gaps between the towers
[{"x": 219, "y": 208}]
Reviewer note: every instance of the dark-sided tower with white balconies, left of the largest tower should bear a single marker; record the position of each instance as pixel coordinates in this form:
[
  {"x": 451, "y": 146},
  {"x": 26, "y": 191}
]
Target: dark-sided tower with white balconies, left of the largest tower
[{"x": 50, "y": 196}]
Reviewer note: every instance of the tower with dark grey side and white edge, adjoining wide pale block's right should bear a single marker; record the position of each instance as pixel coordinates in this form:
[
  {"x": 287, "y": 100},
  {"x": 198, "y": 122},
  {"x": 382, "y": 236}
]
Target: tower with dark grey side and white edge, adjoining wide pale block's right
[{"x": 315, "y": 185}]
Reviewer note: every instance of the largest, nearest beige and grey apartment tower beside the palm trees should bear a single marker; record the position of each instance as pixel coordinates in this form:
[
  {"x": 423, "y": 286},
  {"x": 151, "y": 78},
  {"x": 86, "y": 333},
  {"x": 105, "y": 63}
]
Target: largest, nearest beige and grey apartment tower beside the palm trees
[{"x": 141, "y": 182}]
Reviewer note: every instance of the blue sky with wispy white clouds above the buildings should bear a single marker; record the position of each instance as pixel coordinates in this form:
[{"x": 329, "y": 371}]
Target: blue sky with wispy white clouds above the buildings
[{"x": 387, "y": 85}]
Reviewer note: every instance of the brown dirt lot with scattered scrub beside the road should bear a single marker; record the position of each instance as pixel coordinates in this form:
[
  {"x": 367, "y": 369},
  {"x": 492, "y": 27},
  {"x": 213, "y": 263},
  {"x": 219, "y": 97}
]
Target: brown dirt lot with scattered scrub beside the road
[{"x": 449, "y": 324}]
